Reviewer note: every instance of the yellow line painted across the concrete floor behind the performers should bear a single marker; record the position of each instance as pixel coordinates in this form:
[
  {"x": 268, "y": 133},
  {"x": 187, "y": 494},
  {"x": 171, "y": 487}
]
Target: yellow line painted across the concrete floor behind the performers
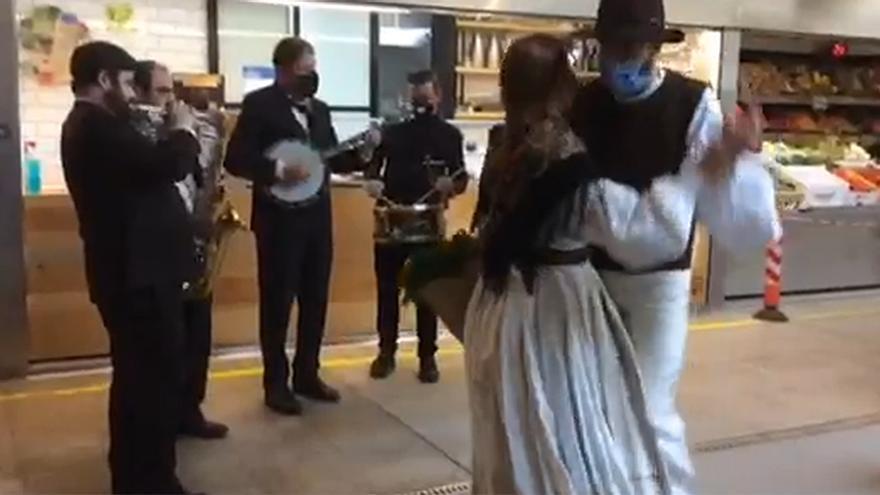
[{"x": 363, "y": 362}]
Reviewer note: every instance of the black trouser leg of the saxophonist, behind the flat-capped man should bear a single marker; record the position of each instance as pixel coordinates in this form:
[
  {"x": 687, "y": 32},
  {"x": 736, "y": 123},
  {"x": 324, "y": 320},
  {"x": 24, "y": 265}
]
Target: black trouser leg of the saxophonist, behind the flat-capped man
[{"x": 196, "y": 355}]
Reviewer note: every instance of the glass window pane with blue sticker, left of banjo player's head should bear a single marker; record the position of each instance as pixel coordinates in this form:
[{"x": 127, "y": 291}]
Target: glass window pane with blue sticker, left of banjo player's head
[{"x": 248, "y": 32}]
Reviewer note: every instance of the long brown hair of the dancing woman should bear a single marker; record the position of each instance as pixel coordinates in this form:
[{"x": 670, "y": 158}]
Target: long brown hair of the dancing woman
[{"x": 537, "y": 90}]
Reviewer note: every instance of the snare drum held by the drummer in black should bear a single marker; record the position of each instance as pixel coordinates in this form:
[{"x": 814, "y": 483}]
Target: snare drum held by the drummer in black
[{"x": 409, "y": 224}]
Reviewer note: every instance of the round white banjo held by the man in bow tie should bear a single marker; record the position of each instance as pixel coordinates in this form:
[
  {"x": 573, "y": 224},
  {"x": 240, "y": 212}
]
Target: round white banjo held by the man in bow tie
[{"x": 309, "y": 190}]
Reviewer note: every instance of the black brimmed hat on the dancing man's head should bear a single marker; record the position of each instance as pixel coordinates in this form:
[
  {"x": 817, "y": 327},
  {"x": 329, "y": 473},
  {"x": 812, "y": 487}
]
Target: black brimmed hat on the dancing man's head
[{"x": 640, "y": 21}]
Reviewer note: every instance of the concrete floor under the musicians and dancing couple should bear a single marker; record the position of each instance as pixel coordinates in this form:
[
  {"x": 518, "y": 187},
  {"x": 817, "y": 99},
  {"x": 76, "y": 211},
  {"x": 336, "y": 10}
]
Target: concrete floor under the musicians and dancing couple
[{"x": 772, "y": 409}]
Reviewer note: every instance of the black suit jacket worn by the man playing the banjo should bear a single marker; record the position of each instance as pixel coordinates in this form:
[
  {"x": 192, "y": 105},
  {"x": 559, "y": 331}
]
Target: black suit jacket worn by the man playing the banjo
[{"x": 266, "y": 118}]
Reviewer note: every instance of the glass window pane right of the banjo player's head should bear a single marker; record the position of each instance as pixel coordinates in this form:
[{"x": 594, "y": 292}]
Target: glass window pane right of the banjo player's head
[{"x": 342, "y": 44}]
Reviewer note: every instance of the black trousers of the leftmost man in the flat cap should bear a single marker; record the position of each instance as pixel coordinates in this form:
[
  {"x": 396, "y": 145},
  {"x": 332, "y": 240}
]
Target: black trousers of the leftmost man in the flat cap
[{"x": 146, "y": 341}]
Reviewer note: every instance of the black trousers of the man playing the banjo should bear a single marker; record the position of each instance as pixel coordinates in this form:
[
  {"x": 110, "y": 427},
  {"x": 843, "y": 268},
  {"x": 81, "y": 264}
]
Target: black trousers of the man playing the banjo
[{"x": 294, "y": 257}]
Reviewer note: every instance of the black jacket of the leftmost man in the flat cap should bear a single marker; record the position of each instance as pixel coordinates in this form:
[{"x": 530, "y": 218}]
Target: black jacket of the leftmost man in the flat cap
[{"x": 135, "y": 228}]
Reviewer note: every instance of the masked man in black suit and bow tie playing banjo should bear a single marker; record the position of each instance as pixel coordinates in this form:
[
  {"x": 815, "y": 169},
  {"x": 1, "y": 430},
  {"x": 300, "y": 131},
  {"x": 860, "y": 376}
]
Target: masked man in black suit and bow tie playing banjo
[{"x": 294, "y": 241}]
